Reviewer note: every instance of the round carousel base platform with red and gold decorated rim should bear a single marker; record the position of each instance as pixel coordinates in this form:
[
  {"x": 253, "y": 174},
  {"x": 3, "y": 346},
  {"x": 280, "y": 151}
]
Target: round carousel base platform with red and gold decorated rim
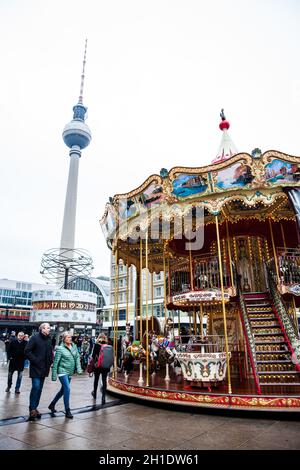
[{"x": 178, "y": 392}]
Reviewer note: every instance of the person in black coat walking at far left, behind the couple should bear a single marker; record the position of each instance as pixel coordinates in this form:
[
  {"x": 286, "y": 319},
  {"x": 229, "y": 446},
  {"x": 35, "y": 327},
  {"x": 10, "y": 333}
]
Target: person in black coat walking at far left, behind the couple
[{"x": 16, "y": 357}]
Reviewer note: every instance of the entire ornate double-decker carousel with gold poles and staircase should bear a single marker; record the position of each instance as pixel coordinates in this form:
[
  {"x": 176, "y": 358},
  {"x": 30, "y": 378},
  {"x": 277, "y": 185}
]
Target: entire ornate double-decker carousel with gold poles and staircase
[{"x": 226, "y": 238}]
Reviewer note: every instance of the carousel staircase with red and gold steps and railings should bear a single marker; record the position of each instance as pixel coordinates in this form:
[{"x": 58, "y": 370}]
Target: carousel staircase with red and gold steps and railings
[{"x": 274, "y": 364}]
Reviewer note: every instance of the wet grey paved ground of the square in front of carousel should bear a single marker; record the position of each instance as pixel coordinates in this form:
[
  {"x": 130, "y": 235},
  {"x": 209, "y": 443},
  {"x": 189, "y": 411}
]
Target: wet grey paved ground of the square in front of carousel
[{"x": 128, "y": 425}]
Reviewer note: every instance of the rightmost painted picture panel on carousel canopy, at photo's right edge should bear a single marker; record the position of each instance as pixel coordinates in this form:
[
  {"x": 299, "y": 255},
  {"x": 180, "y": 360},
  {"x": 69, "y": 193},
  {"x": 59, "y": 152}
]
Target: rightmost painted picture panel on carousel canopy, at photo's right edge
[{"x": 279, "y": 171}]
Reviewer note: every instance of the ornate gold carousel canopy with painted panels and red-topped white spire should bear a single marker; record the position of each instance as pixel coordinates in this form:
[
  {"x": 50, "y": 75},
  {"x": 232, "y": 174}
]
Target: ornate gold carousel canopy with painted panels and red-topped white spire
[{"x": 240, "y": 186}]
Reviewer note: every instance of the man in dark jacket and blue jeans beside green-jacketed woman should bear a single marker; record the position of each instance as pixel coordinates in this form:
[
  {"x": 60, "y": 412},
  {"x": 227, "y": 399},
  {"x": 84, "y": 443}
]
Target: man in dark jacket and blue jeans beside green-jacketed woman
[{"x": 39, "y": 352}]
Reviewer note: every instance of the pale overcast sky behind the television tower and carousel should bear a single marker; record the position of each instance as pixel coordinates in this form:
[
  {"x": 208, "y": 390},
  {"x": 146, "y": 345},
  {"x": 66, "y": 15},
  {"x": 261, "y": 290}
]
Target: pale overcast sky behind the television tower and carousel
[{"x": 158, "y": 72}]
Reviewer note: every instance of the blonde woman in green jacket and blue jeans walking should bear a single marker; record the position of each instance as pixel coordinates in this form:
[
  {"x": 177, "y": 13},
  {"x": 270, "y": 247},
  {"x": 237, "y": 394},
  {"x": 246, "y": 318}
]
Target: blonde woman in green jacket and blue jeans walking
[{"x": 66, "y": 363}]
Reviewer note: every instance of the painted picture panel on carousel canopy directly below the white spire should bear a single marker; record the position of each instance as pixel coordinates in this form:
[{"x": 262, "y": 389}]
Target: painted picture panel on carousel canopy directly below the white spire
[{"x": 235, "y": 176}]
